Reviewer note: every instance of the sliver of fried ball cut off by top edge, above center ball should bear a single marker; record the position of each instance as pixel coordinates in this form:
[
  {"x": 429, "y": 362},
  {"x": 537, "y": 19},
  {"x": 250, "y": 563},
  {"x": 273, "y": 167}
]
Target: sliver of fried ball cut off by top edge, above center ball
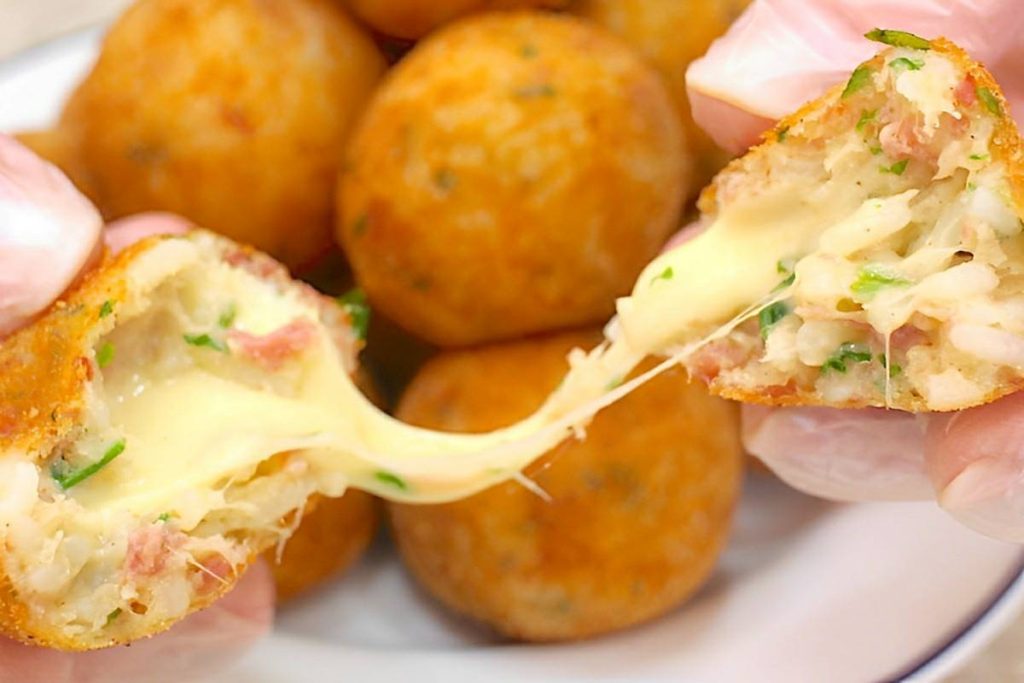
[{"x": 415, "y": 19}]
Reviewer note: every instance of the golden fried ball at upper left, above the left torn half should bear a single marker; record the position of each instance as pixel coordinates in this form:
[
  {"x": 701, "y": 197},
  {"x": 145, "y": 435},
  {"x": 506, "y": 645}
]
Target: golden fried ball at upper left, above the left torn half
[{"x": 232, "y": 113}]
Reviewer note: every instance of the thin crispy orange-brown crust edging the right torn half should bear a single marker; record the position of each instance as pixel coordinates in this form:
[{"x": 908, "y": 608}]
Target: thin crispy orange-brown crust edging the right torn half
[{"x": 1006, "y": 147}]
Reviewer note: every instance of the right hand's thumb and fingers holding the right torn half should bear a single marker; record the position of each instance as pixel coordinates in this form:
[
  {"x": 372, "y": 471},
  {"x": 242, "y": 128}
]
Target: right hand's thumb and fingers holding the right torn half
[{"x": 779, "y": 56}]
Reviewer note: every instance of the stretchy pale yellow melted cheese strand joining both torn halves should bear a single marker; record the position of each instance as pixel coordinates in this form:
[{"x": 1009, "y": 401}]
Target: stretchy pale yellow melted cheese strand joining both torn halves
[{"x": 190, "y": 428}]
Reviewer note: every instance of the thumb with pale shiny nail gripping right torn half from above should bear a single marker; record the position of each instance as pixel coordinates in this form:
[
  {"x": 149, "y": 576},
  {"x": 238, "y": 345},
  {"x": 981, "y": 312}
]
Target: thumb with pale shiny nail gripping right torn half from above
[{"x": 782, "y": 54}]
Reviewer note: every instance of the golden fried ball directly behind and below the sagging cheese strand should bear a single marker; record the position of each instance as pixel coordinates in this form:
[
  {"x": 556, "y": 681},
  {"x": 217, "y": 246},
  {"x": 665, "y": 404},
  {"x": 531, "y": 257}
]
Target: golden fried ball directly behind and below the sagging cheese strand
[{"x": 638, "y": 516}]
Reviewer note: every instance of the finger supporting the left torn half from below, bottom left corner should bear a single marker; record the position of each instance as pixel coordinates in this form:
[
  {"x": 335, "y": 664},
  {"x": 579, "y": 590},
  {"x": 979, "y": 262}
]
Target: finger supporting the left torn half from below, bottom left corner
[{"x": 203, "y": 646}]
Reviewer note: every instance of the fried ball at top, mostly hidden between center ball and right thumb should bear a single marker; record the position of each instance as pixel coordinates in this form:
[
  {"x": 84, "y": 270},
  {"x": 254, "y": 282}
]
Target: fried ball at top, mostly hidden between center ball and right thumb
[{"x": 672, "y": 34}]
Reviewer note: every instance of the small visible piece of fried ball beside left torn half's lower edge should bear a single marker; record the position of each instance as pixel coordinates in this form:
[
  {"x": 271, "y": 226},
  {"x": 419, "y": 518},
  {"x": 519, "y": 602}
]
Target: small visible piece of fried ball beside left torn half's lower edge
[{"x": 332, "y": 537}]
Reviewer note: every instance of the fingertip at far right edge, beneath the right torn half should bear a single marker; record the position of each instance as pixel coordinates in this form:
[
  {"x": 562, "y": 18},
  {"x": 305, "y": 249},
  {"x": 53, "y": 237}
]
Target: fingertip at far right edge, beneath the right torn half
[{"x": 976, "y": 461}]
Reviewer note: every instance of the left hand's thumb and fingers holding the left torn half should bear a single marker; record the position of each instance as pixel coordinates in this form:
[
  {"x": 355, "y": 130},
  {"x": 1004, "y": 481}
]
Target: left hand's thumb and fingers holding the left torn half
[{"x": 50, "y": 235}]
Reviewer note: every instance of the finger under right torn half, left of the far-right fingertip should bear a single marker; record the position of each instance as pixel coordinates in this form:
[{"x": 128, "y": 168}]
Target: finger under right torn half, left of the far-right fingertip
[{"x": 871, "y": 455}]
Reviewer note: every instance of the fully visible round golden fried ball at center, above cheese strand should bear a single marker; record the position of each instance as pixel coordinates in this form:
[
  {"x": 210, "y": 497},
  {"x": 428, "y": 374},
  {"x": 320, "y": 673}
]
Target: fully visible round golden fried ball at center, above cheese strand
[{"x": 514, "y": 176}]
